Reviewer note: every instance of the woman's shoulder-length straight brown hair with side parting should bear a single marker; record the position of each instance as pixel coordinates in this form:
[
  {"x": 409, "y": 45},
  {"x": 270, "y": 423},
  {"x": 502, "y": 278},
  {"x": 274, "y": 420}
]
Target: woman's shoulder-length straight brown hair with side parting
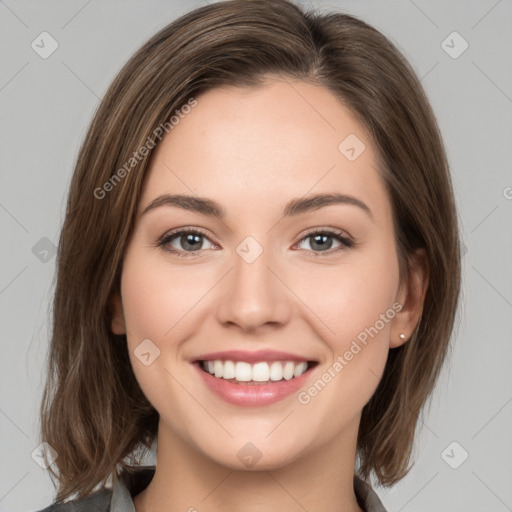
[{"x": 93, "y": 412}]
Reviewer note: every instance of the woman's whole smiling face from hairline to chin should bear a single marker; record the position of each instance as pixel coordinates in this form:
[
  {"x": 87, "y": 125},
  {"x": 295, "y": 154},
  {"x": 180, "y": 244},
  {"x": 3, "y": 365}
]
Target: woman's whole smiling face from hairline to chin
[{"x": 268, "y": 282}]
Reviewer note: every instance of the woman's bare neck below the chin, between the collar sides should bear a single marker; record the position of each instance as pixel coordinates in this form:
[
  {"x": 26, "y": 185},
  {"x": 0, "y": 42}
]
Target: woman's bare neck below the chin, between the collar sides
[{"x": 186, "y": 480}]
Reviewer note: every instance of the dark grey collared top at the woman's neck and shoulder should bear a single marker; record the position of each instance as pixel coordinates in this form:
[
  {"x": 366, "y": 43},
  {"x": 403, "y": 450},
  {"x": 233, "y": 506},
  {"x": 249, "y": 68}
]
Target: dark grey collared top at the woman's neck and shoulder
[{"x": 120, "y": 497}]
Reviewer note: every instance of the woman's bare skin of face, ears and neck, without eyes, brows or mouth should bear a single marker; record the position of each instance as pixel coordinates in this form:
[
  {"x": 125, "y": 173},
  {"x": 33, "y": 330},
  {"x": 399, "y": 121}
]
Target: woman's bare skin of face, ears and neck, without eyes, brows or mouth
[{"x": 253, "y": 150}]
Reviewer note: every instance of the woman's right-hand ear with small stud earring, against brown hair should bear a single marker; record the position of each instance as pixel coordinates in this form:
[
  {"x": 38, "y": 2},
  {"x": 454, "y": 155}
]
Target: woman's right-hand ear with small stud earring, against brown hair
[{"x": 411, "y": 295}]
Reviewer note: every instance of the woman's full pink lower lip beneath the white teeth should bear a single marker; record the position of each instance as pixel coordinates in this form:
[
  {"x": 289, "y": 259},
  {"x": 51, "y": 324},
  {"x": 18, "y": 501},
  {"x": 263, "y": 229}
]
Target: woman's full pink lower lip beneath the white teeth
[{"x": 252, "y": 395}]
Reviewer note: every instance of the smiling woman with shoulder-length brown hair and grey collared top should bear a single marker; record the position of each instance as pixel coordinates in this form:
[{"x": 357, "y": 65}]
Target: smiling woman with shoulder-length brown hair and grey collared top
[{"x": 259, "y": 270}]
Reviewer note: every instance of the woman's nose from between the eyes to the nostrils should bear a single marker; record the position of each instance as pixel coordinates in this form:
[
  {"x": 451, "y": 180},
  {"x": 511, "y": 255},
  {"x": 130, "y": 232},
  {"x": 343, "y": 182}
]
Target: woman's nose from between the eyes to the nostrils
[{"x": 254, "y": 296}]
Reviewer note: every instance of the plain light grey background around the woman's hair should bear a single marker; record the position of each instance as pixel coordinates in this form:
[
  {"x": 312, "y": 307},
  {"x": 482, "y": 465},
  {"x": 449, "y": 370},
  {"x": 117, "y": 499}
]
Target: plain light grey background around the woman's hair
[{"x": 46, "y": 105}]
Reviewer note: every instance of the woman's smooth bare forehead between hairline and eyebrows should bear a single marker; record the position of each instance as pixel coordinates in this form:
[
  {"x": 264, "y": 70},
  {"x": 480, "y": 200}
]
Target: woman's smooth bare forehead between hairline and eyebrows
[{"x": 263, "y": 145}]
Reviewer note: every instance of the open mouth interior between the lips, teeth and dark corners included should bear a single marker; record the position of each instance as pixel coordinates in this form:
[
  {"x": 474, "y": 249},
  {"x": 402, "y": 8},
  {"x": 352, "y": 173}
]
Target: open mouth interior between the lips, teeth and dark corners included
[{"x": 255, "y": 373}]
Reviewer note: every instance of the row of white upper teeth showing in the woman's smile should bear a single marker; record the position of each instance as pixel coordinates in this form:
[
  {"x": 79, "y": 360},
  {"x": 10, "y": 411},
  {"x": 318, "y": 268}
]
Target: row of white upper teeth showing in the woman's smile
[{"x": 258, "y": 372}]
